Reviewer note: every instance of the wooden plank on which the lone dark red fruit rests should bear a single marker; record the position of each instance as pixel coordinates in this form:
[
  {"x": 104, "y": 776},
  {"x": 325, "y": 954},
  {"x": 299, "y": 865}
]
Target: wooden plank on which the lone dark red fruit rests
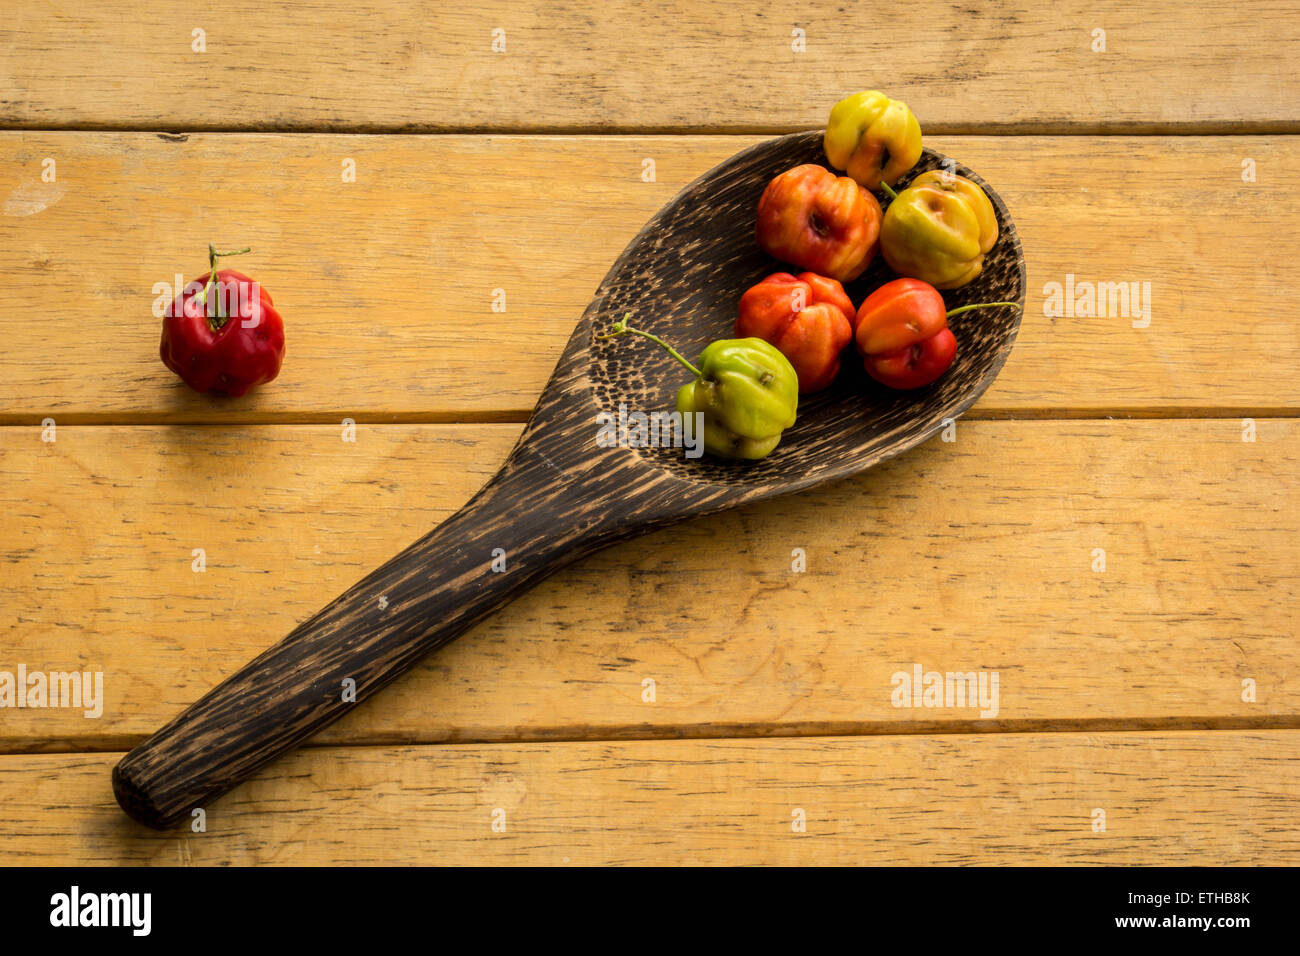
[{"x": 387, "y": 284}]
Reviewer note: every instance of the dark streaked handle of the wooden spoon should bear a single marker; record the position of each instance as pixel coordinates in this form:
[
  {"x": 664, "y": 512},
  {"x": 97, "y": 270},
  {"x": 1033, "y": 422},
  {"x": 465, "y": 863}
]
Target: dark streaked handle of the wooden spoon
[{"x": 421, "y": 600}]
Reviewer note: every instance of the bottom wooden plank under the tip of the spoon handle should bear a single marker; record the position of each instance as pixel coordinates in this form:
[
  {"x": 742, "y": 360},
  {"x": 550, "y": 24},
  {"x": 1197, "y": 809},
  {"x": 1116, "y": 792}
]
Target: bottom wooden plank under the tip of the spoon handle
[{"x": 1201, "y": 799}]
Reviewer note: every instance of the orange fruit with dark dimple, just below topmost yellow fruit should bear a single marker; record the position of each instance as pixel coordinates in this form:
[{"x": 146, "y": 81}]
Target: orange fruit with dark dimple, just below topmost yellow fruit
[{"x": 821, "y": 222}]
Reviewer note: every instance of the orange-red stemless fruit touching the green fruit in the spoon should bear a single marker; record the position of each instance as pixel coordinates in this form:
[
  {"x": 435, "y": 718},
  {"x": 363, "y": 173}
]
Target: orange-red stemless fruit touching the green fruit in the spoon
[{"x": 809, "y": 319}]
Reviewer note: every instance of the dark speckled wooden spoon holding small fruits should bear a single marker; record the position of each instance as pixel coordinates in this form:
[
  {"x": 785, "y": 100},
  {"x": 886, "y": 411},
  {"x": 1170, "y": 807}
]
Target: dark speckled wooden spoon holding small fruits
[{"x": 561, "y": 496}]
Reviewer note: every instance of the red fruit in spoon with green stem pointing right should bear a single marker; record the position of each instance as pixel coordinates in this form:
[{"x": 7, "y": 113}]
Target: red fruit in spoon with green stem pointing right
[{"x": 903, "y": 334}]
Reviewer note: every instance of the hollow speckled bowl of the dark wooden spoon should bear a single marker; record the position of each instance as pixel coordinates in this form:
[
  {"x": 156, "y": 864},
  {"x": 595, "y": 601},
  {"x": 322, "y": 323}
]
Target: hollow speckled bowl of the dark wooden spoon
[{"x": 687, "y": 270}]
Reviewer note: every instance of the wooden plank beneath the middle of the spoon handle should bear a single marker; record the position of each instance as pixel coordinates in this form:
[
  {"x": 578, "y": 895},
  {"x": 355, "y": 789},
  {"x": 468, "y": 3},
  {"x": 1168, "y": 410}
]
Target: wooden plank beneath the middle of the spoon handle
[{"x": 968, "y": 555}]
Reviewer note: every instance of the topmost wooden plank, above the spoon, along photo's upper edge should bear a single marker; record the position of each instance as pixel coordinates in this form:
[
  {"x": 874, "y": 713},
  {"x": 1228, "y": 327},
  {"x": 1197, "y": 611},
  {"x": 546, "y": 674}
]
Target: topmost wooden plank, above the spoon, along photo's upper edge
[{"x": 679, "y": 64}]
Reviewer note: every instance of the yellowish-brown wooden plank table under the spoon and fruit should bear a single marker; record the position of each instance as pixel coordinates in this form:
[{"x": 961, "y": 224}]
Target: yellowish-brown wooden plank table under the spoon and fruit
[{"x": 1115, "y": 529}]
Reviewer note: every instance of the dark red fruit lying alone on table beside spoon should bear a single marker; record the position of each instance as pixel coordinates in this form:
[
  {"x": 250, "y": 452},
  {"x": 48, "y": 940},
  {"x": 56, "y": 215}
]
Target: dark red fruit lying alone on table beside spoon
[{"x": 224, "y": 336}]
